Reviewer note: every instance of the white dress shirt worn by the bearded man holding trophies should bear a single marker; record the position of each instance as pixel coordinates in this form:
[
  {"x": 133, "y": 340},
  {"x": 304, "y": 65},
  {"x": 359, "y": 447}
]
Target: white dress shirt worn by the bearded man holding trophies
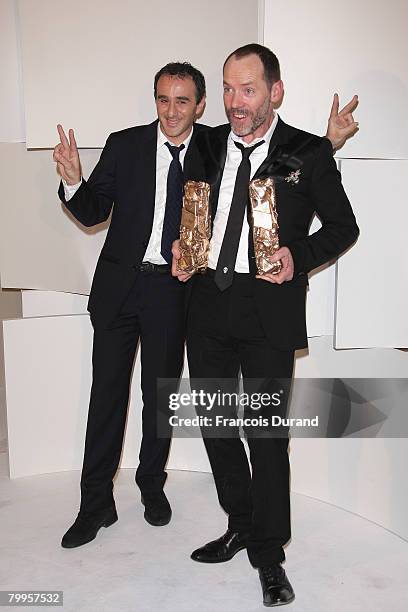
[{"x": 233, "y": 160}]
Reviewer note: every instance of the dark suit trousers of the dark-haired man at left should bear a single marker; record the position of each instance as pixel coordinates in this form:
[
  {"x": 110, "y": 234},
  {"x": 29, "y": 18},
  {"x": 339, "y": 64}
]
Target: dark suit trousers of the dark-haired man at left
[{"x": 154, "y": 313}]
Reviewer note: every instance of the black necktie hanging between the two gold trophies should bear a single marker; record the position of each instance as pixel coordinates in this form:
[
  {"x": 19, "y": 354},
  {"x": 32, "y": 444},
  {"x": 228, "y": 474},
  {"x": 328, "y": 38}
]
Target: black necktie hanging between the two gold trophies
[{"x": 229, "y": 249}]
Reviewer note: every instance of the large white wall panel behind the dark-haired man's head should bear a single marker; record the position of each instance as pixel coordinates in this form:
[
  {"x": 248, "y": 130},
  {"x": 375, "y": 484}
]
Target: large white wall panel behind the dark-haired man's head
[{"x": 90, "y": 65}]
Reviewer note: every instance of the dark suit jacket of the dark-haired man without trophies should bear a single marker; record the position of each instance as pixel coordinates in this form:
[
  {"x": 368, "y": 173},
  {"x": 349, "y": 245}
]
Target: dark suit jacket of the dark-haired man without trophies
[{"x": 126, "y": 177}]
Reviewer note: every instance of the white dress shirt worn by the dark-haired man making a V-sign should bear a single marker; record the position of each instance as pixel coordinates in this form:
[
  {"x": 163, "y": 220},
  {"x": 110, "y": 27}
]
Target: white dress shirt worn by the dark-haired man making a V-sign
[{"x": 163, "y": 160}]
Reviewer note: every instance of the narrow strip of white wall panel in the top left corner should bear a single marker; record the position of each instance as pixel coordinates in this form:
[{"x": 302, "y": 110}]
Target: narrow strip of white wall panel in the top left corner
[{"x": 11, "y": 83}]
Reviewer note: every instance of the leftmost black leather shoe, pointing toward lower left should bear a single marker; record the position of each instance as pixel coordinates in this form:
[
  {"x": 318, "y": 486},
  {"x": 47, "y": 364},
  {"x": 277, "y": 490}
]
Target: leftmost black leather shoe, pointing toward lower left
[{"x": 87, "y": 525}]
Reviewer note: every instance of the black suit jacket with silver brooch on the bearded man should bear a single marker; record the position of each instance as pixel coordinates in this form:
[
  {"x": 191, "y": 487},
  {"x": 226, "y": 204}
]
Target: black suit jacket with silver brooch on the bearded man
[{"x": 282, "y": 307}]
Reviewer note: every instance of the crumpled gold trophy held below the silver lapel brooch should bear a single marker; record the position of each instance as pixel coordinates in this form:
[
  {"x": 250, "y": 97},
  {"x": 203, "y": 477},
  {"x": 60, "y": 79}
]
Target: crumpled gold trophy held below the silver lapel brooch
[{"x": 265, "y": 226}]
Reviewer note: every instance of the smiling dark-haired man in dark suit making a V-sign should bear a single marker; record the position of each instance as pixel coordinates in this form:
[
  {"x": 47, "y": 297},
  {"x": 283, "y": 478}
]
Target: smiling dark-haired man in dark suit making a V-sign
[{"x": 133, "y": 295}]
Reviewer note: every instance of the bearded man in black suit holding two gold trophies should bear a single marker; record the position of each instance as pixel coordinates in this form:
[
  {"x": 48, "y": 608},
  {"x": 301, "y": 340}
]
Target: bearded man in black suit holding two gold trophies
[{"x": 239, "y": 320}]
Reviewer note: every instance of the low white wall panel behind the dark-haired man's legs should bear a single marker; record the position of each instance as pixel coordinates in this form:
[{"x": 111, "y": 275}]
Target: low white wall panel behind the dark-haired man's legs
[{"x": 48, "y": 381}]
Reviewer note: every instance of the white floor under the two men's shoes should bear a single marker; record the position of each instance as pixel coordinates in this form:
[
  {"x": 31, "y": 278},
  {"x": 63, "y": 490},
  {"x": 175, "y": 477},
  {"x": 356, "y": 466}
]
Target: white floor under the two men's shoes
[{"x": 336, "y": 561}]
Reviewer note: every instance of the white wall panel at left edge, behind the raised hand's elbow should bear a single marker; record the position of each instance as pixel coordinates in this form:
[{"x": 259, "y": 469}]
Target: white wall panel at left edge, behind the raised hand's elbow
[{"x": 41, "y": 246}]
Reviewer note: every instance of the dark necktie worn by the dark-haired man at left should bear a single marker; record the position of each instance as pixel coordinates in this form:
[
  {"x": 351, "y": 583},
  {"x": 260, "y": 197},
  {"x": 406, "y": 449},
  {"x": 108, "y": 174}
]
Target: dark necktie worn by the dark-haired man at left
[{"x": 174, "y": 198}]
